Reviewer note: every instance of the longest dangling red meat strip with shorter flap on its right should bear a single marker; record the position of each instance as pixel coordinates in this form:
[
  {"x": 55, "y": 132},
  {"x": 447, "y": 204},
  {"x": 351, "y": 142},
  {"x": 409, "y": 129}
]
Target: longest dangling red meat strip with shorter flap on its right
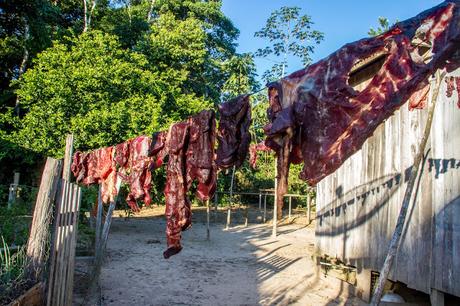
[{"x": 191, "y": 153}]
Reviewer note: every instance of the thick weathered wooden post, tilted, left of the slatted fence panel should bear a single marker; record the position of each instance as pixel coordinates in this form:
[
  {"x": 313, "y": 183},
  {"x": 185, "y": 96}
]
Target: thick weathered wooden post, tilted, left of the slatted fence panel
[{"x": 38, "y": 238}]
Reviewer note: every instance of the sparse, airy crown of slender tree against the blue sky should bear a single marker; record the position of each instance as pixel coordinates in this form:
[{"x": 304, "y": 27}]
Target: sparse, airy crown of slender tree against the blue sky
[{"x": 289, "y": 34}]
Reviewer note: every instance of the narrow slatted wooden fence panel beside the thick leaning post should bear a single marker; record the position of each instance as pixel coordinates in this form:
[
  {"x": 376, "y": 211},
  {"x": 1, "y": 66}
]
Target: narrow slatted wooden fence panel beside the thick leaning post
[{"x": 60, "y": 286}]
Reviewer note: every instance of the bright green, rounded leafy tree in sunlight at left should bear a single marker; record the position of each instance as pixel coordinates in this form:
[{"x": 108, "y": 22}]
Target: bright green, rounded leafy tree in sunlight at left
[{"x": 96, "y": 90}]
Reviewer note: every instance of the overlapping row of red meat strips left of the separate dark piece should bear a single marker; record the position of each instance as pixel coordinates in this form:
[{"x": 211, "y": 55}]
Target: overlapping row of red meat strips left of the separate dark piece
[{"x": 190, "y": 147}]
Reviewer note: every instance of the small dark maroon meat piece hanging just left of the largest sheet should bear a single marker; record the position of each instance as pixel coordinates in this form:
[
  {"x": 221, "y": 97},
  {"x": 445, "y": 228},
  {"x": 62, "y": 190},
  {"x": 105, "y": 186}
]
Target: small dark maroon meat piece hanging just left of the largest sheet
[{"x": 233, "y": 134}]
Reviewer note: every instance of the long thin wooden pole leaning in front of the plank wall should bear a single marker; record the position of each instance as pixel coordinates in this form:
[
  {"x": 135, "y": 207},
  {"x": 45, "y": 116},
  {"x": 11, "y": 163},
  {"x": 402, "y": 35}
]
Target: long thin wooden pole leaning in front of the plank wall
[{"x": 394, "y": 243}]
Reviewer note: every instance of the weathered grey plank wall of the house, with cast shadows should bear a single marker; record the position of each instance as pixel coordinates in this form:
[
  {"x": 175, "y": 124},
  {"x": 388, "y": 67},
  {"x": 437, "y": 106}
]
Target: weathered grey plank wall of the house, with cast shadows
[{"x": 357, "y": 206}]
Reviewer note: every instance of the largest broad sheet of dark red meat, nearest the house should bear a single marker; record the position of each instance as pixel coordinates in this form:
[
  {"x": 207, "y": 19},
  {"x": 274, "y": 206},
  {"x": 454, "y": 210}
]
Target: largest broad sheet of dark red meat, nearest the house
[{"x": 322, "y": 114}]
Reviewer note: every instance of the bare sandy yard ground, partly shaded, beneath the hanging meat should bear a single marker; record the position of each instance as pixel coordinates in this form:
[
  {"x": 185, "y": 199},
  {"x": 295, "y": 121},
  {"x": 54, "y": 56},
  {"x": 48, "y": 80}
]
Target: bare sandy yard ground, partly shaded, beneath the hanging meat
[{"x": 241, "y": 266}]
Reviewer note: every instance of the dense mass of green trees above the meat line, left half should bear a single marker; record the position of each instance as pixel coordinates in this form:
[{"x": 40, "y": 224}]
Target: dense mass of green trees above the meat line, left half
[{"x": 108, "y": 70}]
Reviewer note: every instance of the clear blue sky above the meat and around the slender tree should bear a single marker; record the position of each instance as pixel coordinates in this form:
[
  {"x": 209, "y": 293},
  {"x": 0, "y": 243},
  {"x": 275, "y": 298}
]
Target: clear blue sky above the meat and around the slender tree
[{"x": 340, "y": 21}]
